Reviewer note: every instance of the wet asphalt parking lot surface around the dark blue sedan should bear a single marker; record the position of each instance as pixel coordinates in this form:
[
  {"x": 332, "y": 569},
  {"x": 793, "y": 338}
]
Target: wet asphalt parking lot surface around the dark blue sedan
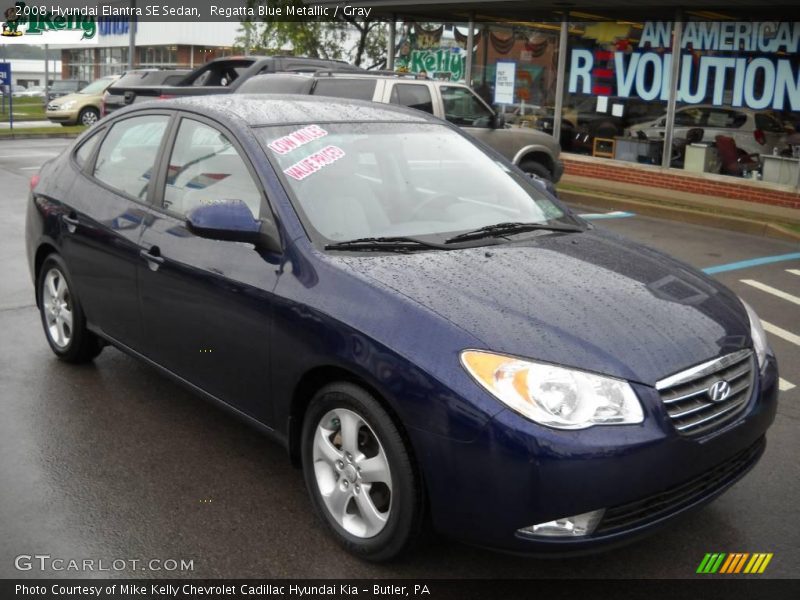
[{"x": 114, "y": 461}]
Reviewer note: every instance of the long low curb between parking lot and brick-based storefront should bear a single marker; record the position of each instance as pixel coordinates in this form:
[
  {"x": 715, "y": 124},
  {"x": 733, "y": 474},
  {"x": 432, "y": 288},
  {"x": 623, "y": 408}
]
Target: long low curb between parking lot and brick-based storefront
[{"x": 682, "y": 215}]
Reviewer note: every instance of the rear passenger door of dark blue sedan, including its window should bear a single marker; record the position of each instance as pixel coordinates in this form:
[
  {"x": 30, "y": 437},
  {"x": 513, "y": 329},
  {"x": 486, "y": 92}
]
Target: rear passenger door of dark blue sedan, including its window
[{"x": 107, "y": 208}]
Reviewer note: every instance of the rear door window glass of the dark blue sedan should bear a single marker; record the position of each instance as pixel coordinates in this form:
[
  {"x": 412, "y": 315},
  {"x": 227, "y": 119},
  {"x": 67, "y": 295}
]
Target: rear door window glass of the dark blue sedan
[{"x": 128, "y": 153}]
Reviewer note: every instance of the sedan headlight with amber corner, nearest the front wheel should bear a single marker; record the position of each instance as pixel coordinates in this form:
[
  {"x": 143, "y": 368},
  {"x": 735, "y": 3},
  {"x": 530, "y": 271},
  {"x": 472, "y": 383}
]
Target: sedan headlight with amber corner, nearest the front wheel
[{"x": 554, "y": 396}]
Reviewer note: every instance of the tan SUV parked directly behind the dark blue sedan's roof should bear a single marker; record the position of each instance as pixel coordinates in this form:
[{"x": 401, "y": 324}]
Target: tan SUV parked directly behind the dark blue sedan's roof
[{"x": 533, "y": 151}]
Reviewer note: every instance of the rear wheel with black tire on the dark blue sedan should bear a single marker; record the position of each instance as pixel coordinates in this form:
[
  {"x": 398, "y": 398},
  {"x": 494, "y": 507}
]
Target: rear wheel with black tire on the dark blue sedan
[{"x": 81, "y": 345}]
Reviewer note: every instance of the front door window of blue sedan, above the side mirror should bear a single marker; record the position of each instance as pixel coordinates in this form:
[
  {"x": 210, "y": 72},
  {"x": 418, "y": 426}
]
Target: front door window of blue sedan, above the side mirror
[{"x": 205, "y": 168}]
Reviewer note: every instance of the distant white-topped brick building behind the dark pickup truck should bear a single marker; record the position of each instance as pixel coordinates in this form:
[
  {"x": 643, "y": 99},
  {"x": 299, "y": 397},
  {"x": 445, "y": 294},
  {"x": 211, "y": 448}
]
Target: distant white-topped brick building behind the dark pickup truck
[{"x": 158, "y": 45}]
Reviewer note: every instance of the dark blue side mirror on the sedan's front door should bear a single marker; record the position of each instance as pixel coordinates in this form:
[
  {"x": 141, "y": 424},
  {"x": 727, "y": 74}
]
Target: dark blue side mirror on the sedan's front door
[{"x": 232, "y": 221}]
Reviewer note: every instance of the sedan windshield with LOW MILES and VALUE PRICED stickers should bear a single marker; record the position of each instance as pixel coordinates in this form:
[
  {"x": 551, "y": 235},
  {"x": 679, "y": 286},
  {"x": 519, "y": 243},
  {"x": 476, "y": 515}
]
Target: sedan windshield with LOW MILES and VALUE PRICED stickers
[{"x": 377, "y": 180}]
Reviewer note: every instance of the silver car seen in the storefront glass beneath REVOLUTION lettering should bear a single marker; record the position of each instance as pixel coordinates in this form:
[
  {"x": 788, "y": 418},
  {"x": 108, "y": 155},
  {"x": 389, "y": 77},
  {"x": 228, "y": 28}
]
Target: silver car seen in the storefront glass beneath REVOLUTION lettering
[{"x": 754, "y": 131}]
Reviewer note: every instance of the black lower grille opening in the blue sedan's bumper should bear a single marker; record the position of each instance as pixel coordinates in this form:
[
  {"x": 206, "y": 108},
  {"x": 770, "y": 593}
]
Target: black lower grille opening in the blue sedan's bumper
[{"x": 658, "y": 505}]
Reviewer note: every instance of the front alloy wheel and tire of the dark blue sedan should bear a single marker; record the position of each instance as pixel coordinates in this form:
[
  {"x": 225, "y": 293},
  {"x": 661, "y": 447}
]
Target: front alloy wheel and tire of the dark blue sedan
[{"x": 360, "y": 474}]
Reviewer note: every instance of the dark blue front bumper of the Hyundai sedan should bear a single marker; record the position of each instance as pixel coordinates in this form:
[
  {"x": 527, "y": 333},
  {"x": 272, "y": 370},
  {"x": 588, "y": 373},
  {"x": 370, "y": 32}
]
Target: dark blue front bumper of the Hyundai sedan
[{"x": 517, "y": 474}]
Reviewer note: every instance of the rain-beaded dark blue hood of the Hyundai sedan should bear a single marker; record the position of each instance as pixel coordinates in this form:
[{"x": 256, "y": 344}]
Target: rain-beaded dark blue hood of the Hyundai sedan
[{"x": 591, "y": 300}]
